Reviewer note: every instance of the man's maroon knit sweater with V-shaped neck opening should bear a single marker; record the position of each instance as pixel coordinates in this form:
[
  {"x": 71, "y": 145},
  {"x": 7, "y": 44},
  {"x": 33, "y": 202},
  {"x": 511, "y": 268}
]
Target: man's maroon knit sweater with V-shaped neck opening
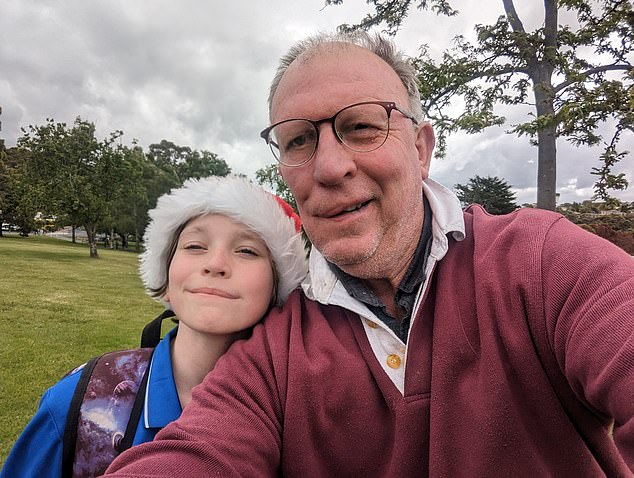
[{"x": 522, "y": 354}]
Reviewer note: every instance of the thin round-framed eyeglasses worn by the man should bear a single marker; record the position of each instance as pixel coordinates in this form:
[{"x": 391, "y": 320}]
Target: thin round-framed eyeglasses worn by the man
[{"x": 362, "y": 127}]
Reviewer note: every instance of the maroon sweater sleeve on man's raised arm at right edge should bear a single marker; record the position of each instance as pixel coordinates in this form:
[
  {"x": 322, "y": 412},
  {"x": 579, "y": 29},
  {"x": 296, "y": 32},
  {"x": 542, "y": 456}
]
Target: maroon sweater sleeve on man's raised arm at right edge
[{"x": 588, "y": 287}]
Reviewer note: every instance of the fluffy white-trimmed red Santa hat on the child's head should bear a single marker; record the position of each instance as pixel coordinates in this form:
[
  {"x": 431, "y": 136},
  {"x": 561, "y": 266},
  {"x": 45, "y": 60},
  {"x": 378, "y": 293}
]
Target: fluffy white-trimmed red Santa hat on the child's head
[{"x": 237, "y": 198}]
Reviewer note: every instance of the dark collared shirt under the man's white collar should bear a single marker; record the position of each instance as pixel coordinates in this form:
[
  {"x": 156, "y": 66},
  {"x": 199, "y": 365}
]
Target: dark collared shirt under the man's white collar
[{"x": 407, "y": 289}]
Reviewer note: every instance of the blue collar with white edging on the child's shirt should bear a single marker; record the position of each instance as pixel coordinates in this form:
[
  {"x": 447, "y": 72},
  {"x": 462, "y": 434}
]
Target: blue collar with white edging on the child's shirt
[{"x": 161, "y": 399}]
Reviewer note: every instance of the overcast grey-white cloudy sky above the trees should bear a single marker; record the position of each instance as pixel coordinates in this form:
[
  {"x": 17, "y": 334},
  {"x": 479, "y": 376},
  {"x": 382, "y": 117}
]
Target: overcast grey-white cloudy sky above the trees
[{"x": 197, "y": 73}]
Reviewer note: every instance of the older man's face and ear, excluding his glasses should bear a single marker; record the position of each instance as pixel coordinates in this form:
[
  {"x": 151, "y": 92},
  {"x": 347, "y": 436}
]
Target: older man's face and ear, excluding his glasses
[{"x": 363, "y": 211}]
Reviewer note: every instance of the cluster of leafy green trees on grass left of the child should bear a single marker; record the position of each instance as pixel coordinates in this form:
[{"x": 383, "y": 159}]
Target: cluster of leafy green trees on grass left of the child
[{"x": 65, "y": 175}]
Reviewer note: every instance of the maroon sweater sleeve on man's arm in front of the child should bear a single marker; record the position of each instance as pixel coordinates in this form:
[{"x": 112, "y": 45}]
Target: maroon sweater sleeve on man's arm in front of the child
[{"x": 232, "y": 426}]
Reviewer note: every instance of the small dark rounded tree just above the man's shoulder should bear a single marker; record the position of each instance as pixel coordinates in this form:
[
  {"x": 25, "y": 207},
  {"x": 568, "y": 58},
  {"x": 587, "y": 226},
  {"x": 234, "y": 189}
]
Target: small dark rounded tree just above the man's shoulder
[{"x": 492, "y": 193}]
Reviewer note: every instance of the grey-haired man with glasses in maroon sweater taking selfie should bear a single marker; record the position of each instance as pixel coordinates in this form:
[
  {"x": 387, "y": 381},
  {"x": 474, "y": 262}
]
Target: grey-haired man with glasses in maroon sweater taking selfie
[{"x": 436, "y": 343}]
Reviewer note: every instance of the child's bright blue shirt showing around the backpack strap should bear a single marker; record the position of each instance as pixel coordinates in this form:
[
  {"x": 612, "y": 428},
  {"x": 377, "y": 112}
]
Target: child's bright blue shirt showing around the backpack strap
[{"x": 38, "y": 450}]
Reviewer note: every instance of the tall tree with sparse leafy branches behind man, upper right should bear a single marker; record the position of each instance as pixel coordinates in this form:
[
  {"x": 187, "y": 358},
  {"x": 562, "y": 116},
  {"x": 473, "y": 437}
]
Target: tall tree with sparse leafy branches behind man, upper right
[{"x": 579, "y": 78}]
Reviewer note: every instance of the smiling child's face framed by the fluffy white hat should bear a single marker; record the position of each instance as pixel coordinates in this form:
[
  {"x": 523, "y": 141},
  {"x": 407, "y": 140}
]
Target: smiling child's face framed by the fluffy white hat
[{"x": 220, "y": 278}]
